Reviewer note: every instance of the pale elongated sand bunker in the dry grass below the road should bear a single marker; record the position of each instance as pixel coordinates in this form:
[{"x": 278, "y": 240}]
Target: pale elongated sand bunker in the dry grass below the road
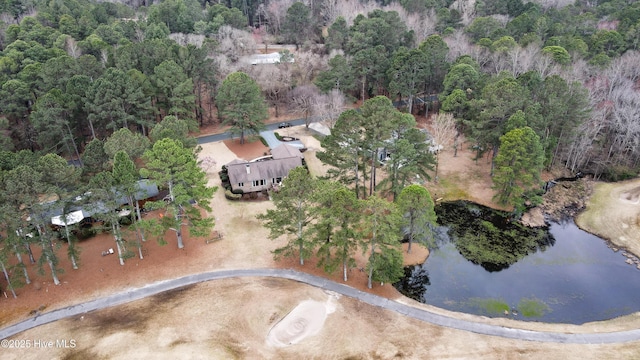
[{"x": 306, "y": 319}]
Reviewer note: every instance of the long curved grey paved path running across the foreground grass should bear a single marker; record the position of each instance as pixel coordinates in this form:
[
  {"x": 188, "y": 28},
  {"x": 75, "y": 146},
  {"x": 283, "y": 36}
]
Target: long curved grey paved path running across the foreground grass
[{"x": 416, "y": 313}]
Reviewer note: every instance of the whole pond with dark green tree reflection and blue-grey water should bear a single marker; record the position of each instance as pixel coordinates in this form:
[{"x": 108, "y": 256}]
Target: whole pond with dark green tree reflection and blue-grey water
[{"x": 483, "y": 264}]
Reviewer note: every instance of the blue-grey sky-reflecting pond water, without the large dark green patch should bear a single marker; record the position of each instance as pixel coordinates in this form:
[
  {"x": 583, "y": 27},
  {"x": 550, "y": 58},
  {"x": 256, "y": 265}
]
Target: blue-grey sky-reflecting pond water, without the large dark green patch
[{"x": 573, "y": 277}]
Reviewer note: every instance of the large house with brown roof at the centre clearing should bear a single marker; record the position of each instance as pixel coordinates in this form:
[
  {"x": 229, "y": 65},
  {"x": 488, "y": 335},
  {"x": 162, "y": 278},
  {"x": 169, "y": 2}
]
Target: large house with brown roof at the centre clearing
[{"x": 265, "y": 172}]
